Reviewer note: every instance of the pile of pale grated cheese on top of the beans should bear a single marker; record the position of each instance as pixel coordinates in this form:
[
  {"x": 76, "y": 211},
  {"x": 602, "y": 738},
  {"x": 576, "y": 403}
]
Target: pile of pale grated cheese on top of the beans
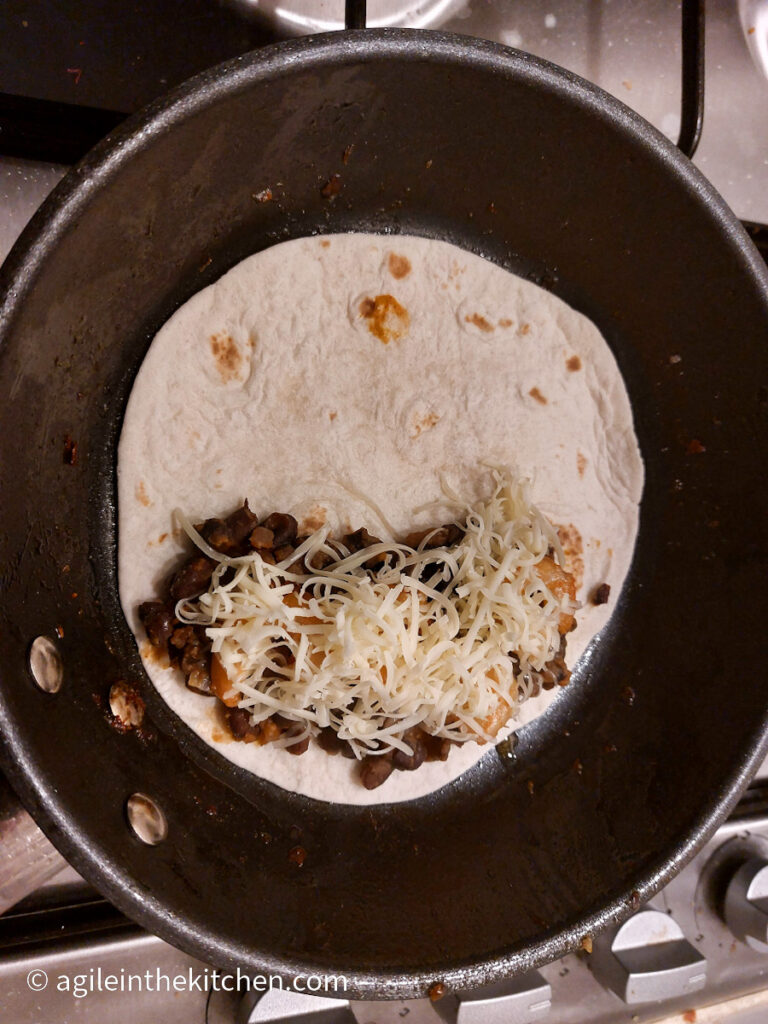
[{"x": 425, "y": 641}]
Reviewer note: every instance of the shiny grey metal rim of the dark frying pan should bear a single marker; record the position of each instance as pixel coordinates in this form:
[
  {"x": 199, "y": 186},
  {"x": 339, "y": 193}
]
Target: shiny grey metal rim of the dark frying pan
[{"x": 18, "y": 277}]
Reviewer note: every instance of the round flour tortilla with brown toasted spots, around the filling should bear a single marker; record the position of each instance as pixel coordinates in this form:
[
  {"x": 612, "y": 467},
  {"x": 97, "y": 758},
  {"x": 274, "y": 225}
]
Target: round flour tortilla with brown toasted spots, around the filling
[{"x": 288, "y": 383}]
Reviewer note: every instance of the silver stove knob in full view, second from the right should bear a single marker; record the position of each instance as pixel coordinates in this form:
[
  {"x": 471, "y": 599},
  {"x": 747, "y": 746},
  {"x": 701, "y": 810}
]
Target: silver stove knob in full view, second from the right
[{"x": 649, "y": 959}]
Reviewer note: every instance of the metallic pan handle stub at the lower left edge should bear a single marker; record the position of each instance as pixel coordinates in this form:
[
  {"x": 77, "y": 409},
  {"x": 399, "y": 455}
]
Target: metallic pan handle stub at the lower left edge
[{"x": 27, "y": 858}]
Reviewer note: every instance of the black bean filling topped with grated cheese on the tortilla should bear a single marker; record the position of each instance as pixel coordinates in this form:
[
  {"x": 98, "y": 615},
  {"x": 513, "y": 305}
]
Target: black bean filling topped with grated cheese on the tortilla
[{"x": 387, "y": 652}]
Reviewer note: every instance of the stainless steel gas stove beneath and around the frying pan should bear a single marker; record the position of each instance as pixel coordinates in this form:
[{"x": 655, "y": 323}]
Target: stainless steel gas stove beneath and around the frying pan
[{"x": 70, "y": 73}]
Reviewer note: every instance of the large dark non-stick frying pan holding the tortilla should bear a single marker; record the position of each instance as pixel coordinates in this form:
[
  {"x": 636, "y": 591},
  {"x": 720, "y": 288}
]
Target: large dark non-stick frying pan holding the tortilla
[{"x": 608, "y": 795}]
